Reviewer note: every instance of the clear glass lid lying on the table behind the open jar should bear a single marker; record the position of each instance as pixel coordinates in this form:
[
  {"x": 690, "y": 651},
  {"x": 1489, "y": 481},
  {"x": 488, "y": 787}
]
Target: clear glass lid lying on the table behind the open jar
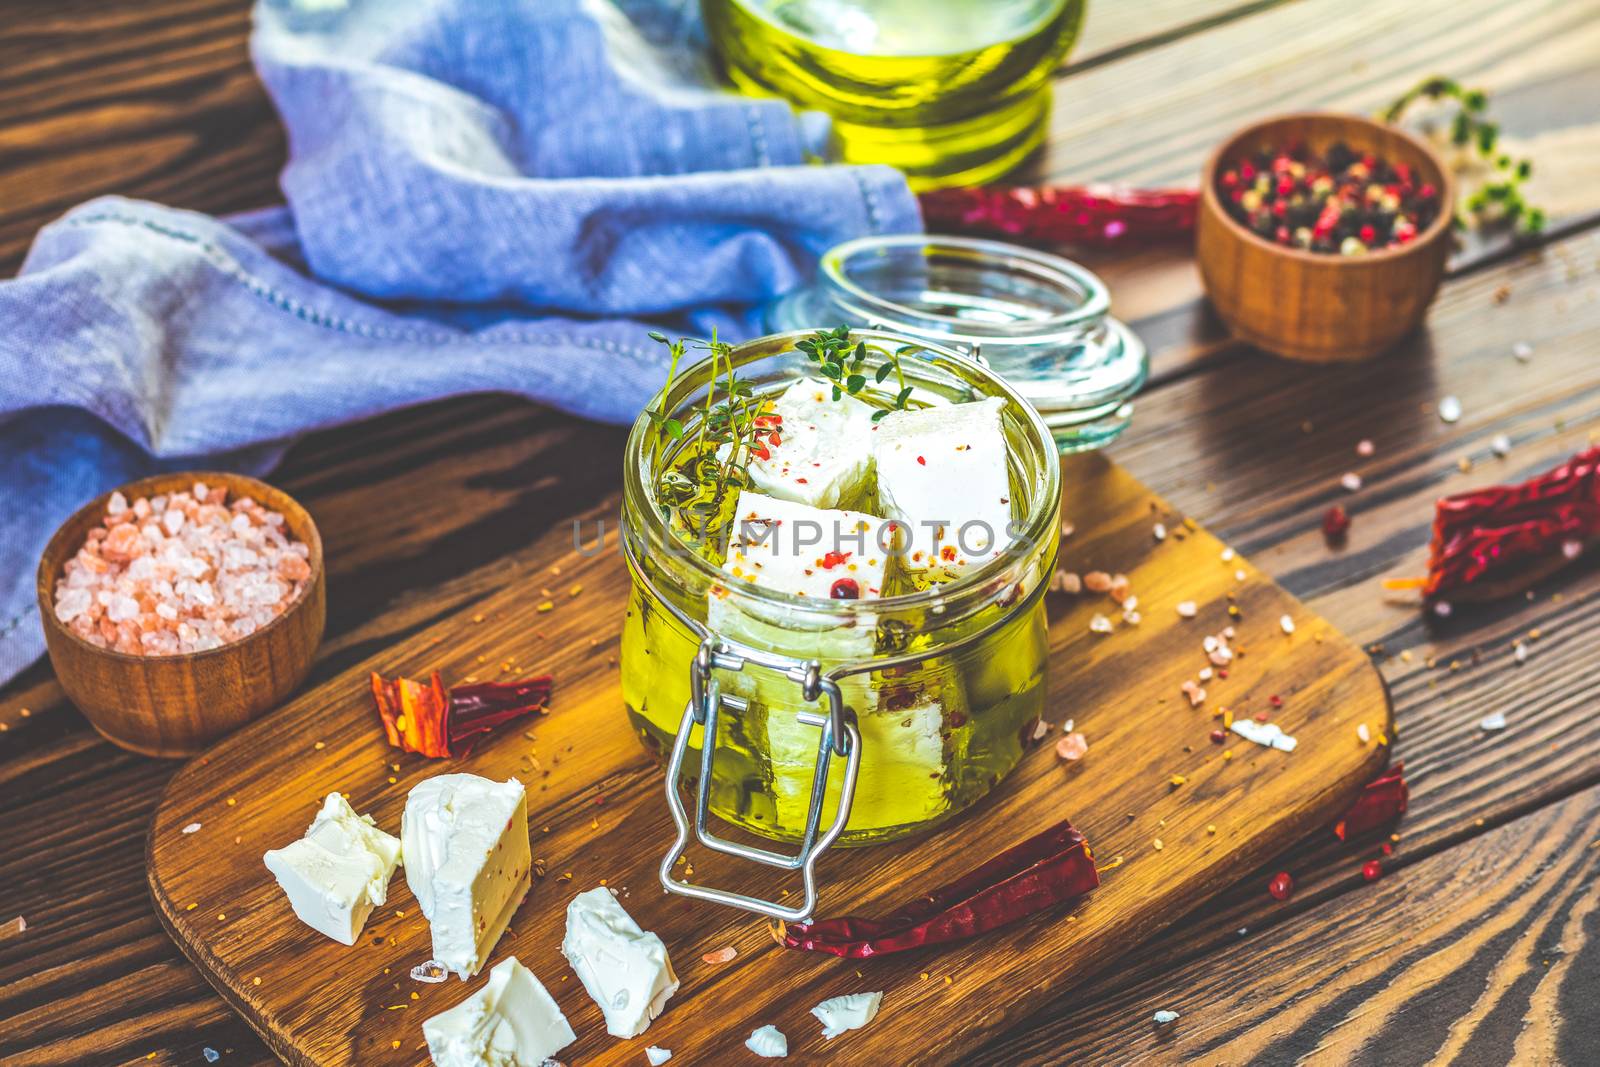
[{"x": 1039, "y": 321}]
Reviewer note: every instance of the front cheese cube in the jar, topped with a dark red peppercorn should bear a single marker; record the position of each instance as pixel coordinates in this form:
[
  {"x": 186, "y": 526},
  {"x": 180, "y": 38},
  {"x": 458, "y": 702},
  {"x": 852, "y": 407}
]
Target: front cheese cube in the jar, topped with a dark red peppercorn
[{"x": 806, "y": 551}]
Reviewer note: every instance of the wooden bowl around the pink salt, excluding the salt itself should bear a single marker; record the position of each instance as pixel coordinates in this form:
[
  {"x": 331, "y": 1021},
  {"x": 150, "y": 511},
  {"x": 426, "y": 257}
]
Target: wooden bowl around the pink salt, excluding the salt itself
[{"x": 174, "y": 706}]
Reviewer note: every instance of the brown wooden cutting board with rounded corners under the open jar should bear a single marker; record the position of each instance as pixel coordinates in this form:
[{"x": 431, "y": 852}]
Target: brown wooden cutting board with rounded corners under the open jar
[{"x": 598, "y": 817}]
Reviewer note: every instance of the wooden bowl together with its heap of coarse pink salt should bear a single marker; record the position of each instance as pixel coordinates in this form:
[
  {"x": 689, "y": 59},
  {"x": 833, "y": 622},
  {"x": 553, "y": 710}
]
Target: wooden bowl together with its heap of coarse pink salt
[{"x": 180, "y": 607}]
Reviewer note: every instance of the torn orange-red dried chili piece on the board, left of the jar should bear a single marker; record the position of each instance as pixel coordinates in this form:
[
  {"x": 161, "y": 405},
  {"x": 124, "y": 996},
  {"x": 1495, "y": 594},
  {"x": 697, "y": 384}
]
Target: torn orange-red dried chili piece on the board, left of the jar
[{"x": 442, "y": 724}]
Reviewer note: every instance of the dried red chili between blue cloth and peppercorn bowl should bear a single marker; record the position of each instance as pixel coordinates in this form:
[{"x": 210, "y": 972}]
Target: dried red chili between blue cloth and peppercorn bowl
[{"x": 1092, "y": 215}]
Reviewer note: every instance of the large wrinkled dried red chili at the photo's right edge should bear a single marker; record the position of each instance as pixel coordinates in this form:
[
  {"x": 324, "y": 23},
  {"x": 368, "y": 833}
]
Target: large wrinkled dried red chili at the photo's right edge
[{"x": 1500, "y": 541}]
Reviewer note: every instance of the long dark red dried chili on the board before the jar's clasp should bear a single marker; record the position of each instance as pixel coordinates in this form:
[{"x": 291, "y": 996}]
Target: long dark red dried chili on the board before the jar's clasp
[{"x": 1047, "y": 869}]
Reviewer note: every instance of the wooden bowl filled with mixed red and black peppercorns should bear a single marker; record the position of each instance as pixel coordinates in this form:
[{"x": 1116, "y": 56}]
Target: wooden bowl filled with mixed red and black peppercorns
[{"x": 1324, "y": 238}]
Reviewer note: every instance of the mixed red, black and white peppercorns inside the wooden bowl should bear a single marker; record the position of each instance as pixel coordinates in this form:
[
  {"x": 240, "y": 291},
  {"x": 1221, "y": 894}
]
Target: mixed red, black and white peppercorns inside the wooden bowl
[{"x": 1340, "y": 202}]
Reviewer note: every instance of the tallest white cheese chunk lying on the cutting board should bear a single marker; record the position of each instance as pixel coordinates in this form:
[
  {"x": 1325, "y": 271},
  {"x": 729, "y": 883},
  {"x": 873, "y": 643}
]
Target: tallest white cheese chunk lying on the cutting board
[{"x": 468, "y": 863}]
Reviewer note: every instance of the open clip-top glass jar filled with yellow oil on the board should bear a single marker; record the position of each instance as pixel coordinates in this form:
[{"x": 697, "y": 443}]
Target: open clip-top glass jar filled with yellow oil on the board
[{"x": 874, "y": 719}]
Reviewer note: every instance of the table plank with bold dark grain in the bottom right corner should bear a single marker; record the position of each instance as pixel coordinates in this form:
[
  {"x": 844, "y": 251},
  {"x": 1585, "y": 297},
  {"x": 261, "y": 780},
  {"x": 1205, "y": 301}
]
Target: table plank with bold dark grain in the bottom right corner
[{"x": 1497, "y": 965}]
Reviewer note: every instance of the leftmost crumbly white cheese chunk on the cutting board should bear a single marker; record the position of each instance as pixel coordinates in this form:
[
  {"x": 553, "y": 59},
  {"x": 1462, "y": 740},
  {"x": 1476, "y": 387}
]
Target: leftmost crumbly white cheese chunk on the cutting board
[{"x": 338, "y": 873}]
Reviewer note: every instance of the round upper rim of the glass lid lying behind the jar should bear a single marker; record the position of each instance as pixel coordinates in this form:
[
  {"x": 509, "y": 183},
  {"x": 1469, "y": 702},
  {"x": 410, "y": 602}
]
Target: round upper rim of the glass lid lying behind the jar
[{"x": 1090, "y": 297}]
